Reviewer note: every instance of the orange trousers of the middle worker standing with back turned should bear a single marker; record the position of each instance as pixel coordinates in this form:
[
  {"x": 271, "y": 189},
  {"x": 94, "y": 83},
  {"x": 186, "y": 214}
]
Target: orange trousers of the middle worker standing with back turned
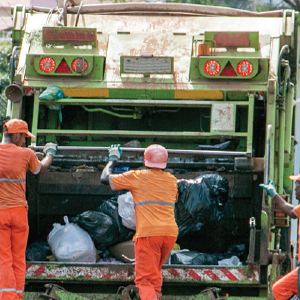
[{"x": 150, "y": 254}]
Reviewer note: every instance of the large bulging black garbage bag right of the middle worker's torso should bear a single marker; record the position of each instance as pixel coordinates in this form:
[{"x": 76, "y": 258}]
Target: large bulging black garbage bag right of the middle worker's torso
[{"x": 200, "y": 201}]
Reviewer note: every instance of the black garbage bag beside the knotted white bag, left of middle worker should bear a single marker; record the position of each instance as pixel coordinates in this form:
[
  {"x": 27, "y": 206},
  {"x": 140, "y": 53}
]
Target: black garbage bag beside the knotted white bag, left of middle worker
[{"x": 101, "y": 227}]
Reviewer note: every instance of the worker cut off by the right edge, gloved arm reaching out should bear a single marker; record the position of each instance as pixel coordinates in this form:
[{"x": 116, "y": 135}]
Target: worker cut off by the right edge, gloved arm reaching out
[{"x": 287, "y": 286}]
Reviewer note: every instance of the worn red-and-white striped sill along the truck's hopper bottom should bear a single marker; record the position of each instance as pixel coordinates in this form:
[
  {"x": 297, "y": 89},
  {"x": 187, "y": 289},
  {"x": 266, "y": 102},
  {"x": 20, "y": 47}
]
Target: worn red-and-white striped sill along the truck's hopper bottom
[{"x": 125, "y": 273}]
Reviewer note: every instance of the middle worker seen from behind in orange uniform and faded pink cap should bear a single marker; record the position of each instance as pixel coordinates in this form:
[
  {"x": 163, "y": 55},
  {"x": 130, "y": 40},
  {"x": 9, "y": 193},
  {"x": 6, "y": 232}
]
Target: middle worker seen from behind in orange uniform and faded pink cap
[{"x": 154, "y": 194}]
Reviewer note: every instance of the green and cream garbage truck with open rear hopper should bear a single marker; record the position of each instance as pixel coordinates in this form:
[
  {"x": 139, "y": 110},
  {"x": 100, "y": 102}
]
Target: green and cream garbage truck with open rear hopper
[{"x": 216, "y": 86}]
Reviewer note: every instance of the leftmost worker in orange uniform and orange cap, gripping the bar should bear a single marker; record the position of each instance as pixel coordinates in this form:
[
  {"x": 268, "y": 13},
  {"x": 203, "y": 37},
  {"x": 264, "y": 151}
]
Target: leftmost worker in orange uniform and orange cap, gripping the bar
[{"x": 14, "y": 163}]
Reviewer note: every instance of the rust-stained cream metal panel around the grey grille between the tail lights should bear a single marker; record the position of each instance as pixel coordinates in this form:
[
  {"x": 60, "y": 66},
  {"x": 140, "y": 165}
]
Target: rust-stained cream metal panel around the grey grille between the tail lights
[{"x": 156, "y": 44}]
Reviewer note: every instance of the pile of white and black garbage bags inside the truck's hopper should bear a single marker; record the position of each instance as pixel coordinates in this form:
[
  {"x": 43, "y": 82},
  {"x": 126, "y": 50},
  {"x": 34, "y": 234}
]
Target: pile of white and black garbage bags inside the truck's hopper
[{"x": 201, "y": 202}]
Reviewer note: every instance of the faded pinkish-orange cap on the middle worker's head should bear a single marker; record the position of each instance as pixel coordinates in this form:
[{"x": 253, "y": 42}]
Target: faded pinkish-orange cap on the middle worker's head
[{"x": 156, "y": 156}]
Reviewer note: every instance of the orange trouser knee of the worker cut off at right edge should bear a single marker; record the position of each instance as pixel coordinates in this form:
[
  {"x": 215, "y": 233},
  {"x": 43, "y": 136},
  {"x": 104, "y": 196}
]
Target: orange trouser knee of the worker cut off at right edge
[{"x": 286, "y": 286}]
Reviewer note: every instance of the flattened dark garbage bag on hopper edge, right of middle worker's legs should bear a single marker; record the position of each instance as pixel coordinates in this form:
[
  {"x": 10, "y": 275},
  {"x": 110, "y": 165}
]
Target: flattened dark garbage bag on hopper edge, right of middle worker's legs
[{"x": 193, "y": 258}]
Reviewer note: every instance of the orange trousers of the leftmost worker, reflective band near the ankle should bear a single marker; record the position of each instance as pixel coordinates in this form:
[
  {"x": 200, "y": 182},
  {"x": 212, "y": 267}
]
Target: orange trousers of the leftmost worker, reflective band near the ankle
[{"x": 13, "y": 239}]
